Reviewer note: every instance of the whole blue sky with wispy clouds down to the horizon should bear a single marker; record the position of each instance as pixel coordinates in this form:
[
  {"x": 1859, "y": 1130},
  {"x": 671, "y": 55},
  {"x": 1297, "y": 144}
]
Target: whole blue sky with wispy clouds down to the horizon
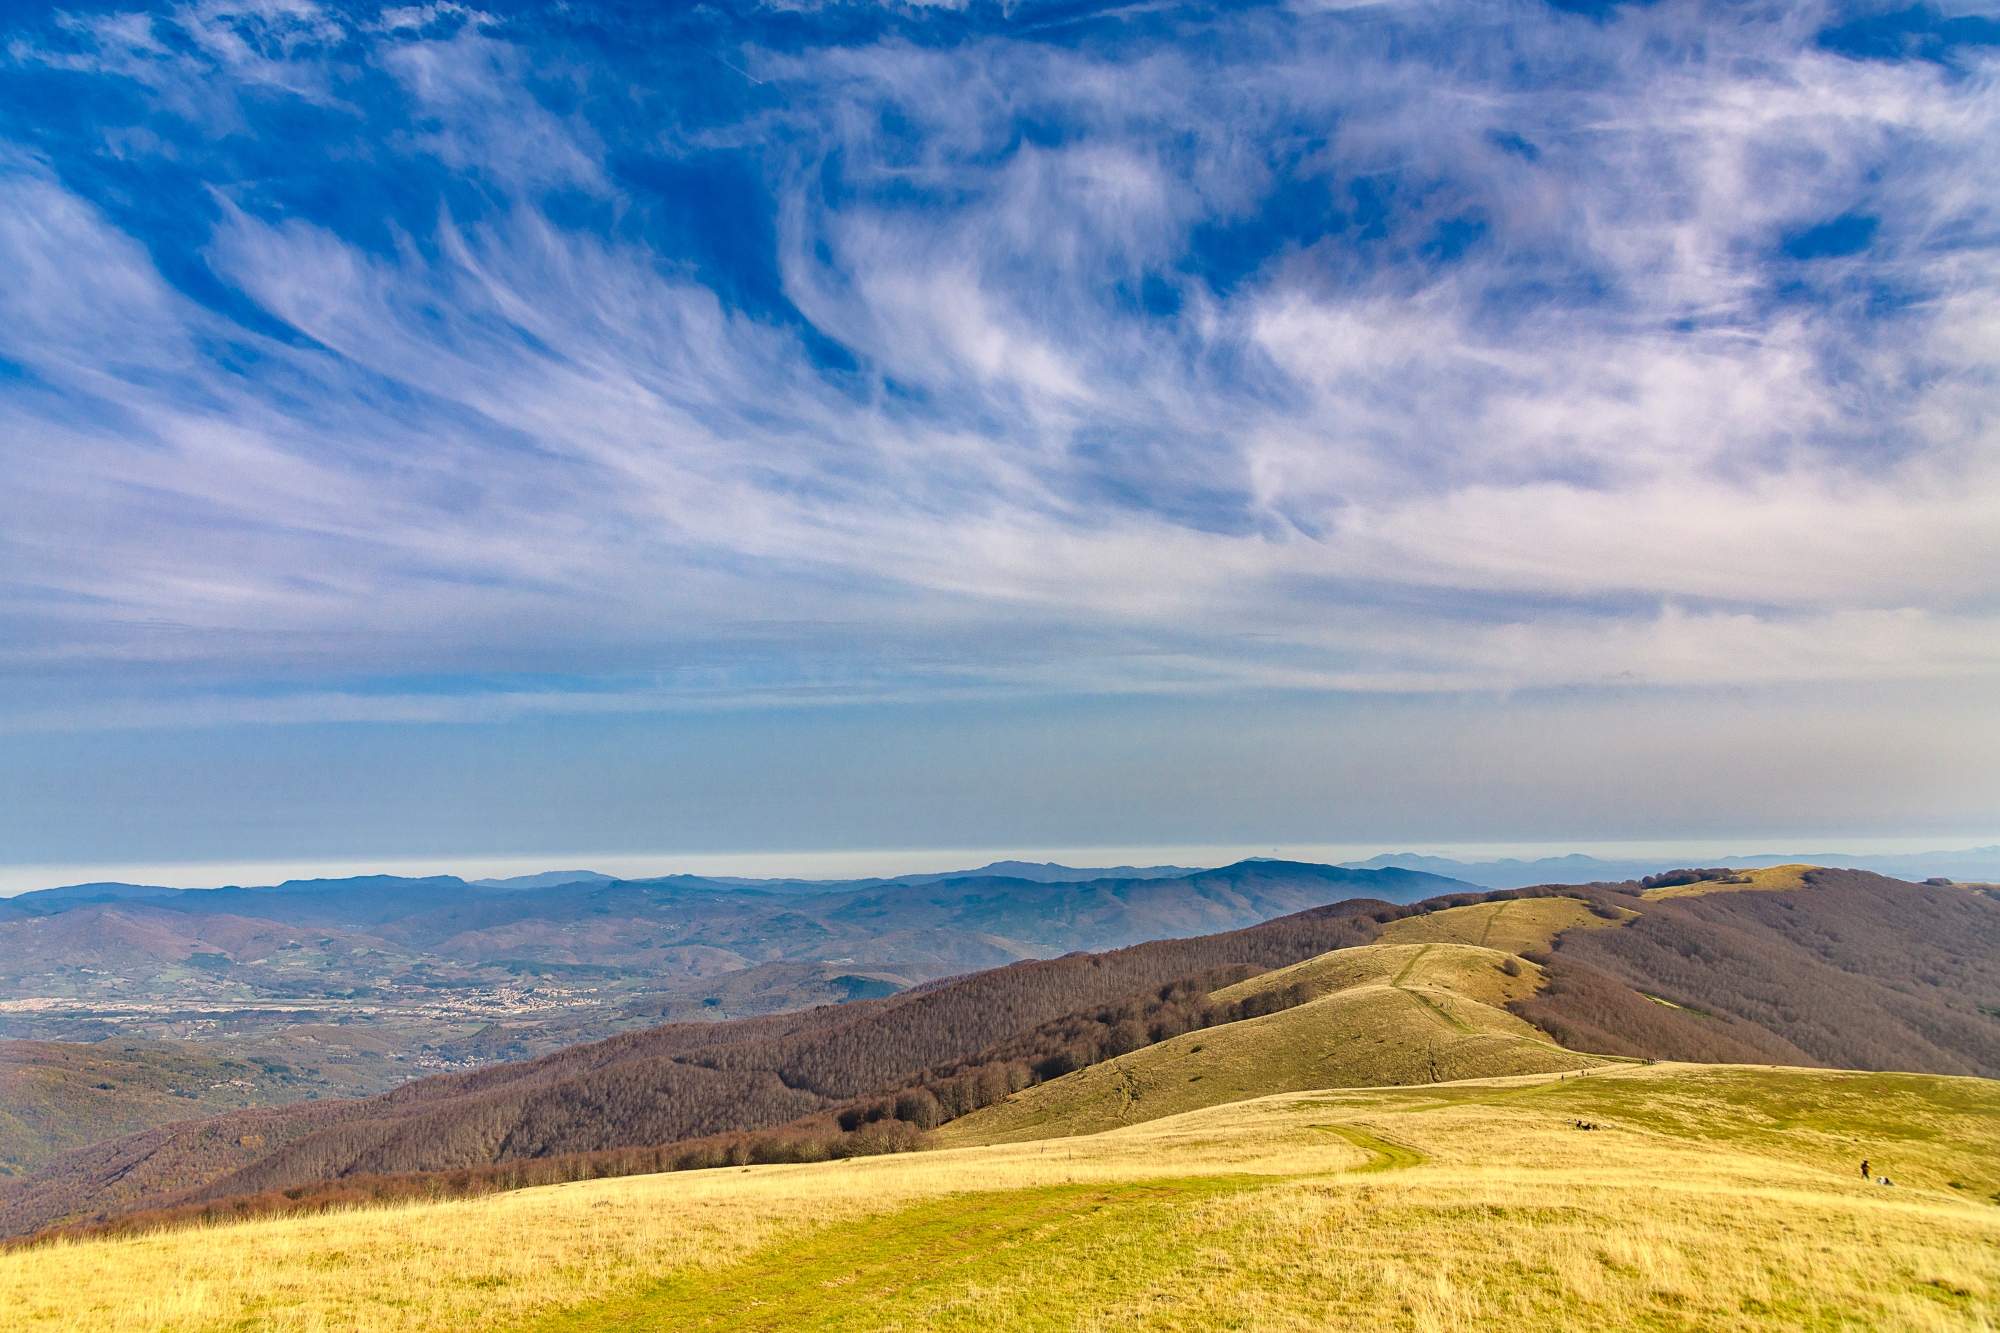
[{"x": 539, "y": 431}]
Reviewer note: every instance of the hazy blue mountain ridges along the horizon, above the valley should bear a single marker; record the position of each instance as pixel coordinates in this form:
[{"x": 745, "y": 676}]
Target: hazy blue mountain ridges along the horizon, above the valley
[{"x": 1009, "y": 908}]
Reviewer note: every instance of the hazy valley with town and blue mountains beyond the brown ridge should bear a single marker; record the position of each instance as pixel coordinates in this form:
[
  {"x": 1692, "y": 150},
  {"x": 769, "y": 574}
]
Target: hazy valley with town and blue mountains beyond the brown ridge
[{"x": 457, "y": 974}]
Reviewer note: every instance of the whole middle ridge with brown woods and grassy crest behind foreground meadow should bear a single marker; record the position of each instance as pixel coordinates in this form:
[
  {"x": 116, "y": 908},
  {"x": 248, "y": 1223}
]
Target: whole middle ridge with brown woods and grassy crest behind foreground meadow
[{"x": 1355, "y": 994}]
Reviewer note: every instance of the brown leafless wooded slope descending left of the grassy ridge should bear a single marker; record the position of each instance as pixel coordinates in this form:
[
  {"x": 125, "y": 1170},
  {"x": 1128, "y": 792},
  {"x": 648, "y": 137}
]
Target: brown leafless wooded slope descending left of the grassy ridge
[{"x": 659, "y": 1086}]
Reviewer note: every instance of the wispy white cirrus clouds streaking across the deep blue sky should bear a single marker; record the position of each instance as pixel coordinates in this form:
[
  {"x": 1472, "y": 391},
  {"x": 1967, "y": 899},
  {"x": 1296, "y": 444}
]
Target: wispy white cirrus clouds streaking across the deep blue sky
[{"x": 891, "y": 353}]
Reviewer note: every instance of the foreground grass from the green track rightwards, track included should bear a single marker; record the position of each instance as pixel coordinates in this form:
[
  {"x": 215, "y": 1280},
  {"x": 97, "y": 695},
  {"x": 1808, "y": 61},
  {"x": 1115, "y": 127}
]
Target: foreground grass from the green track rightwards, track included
[{"x": 1717, "y": 1200}]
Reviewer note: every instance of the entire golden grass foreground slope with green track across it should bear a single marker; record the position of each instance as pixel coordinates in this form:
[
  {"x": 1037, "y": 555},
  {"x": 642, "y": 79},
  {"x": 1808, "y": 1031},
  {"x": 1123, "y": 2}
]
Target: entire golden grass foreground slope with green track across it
[{"x": 1711, "y": 1198}]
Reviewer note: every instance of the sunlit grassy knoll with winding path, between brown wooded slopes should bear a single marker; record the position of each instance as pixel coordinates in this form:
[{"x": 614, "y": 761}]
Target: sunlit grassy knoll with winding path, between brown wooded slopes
[{"x": 1387, "y": 1016}]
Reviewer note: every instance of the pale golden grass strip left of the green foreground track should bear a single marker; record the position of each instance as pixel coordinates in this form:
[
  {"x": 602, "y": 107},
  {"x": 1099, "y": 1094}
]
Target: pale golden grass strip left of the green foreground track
[{"x": 487, "y": 1262}]
